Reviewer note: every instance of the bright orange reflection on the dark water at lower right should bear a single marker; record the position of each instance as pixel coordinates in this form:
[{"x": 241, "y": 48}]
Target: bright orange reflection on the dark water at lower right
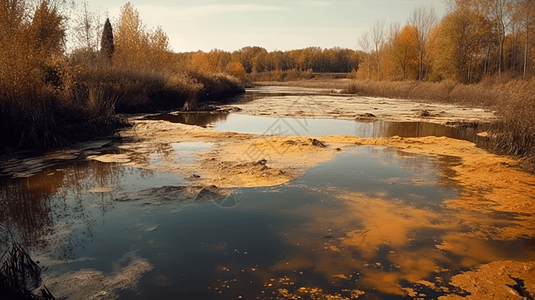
[{"x": 392, "y": 243}]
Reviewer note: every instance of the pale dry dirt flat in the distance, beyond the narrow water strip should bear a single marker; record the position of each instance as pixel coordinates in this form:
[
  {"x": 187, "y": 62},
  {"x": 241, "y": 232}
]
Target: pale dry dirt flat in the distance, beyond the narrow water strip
[{"x": 350, "y": 107}]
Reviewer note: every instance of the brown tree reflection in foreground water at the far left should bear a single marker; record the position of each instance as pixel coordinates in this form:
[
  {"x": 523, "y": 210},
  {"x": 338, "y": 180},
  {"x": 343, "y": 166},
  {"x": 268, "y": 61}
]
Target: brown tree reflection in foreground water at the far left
[{"x": 49, "y": 211}]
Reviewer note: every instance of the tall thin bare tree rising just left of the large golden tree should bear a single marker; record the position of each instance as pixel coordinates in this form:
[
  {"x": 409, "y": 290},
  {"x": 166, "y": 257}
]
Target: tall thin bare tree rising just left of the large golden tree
[{"x": 423, "y": 18}]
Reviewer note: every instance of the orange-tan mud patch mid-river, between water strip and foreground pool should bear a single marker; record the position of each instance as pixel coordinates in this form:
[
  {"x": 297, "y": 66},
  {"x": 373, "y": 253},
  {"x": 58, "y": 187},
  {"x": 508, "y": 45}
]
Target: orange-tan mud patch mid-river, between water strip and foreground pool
[{"x": 234, "y": 160}]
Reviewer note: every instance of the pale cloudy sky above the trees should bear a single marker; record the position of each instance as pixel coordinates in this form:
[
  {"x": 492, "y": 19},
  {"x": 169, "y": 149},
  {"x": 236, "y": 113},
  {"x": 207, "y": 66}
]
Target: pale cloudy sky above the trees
[{"x": 275, "y": 25}]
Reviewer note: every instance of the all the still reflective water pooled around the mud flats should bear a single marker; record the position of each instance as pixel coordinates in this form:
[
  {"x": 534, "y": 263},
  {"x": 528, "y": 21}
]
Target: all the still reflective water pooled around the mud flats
[{"x": 368, "y": 221}]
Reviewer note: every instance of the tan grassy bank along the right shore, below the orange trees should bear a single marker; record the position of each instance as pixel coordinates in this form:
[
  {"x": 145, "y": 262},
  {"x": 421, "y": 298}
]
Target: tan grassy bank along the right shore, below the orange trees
[{"x": 512, "y": 99}]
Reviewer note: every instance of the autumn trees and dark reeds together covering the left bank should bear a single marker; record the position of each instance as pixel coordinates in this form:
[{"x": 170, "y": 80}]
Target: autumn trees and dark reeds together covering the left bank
[{"x": 52, "y": 96}]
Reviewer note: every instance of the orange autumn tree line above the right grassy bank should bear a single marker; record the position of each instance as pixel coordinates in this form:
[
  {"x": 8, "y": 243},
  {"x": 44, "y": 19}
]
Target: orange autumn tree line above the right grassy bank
[{"x": 475, "y": 39}]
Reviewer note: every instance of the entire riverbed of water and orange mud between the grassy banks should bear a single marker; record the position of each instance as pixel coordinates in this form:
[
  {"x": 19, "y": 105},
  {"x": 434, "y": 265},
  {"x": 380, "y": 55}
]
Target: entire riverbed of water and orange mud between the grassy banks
[{"x": 294, "y": 194}]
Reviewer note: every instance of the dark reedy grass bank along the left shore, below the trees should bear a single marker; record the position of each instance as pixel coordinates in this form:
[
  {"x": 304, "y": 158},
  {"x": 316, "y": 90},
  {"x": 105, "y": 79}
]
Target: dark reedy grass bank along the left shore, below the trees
[{"x": 87, "y": 104}]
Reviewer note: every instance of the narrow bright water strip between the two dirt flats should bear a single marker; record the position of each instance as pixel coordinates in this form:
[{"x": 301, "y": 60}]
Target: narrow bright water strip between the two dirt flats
[{"x": 318, "y": 127}]
